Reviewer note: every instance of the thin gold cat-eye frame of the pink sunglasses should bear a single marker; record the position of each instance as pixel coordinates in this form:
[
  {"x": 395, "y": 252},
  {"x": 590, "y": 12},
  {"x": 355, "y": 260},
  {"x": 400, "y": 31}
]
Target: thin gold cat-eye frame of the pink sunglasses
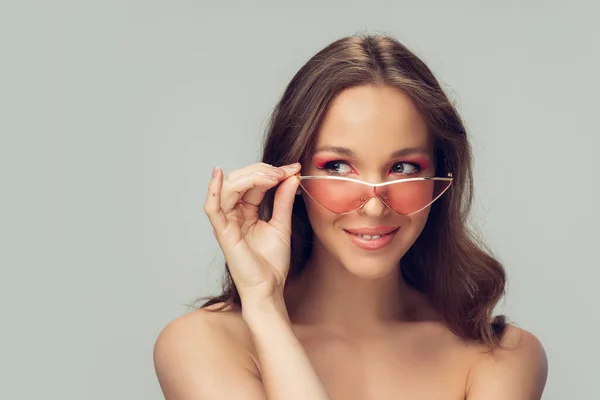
[{"x": 449, "y": 178}]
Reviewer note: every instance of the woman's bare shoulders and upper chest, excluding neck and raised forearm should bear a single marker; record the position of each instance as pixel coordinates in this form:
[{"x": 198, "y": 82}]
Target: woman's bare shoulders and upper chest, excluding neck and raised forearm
[{"x": 407, "y": 360}]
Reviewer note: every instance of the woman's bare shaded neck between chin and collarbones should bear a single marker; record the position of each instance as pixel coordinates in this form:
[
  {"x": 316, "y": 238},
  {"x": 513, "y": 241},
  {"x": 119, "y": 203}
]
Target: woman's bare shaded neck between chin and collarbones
[{"x": 328, "y": 294}]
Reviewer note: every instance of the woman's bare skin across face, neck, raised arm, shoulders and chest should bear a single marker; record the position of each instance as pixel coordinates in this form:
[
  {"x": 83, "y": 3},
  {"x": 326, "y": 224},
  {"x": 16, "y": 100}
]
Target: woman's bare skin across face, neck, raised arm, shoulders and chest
[{"x": 349, "y": 327}]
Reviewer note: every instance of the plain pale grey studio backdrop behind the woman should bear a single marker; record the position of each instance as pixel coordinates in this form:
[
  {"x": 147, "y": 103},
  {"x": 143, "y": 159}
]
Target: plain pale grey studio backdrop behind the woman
[{"x": 142, "y": 98}]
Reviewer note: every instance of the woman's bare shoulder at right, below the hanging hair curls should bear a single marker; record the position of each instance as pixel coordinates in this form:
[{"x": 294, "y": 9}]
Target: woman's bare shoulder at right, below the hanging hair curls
[{"x": 517, "y": 369}]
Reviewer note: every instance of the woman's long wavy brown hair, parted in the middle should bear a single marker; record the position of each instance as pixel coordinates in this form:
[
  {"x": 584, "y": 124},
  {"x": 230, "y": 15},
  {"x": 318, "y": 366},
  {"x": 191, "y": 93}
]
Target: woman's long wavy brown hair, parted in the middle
[{"x": 448, "y": 263}]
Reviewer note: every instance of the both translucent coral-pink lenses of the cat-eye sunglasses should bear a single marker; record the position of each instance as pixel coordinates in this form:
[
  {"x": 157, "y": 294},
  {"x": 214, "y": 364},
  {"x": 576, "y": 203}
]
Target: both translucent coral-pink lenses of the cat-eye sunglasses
[{"x": 405, "y": 197}]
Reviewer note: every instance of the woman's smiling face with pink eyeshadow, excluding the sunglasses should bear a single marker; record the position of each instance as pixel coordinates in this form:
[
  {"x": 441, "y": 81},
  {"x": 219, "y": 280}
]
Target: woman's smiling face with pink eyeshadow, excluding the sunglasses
[{"x": 362, "y": 130}]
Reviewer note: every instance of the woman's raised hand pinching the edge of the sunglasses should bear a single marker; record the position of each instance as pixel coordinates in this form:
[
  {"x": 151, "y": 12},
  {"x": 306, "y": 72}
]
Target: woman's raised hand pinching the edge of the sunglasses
[{"x": 257, "y": 252}]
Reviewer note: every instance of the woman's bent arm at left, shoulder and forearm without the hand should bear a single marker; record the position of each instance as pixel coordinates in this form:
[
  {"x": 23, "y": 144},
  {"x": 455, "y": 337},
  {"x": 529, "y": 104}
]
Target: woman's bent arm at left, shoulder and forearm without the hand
[{"x": 200, "y": 357}]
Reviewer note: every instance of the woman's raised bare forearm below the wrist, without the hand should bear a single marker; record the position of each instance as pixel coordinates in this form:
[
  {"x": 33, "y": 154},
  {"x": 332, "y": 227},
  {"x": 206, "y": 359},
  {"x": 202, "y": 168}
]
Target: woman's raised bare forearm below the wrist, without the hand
[{"x": 286, "y": 371}]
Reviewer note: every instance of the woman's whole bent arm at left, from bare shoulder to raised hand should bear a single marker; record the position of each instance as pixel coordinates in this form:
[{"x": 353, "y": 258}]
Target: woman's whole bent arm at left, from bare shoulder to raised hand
[{"x": 203, "y": 362}]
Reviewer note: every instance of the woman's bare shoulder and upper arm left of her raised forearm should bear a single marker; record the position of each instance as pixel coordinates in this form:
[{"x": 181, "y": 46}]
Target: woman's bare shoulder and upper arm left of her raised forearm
[{"x": 195, "y": 352}]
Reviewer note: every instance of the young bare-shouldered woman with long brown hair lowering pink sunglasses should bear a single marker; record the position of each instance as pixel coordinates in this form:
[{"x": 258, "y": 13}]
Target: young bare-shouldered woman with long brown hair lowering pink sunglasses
[{"x": 351, "y": 271}]
